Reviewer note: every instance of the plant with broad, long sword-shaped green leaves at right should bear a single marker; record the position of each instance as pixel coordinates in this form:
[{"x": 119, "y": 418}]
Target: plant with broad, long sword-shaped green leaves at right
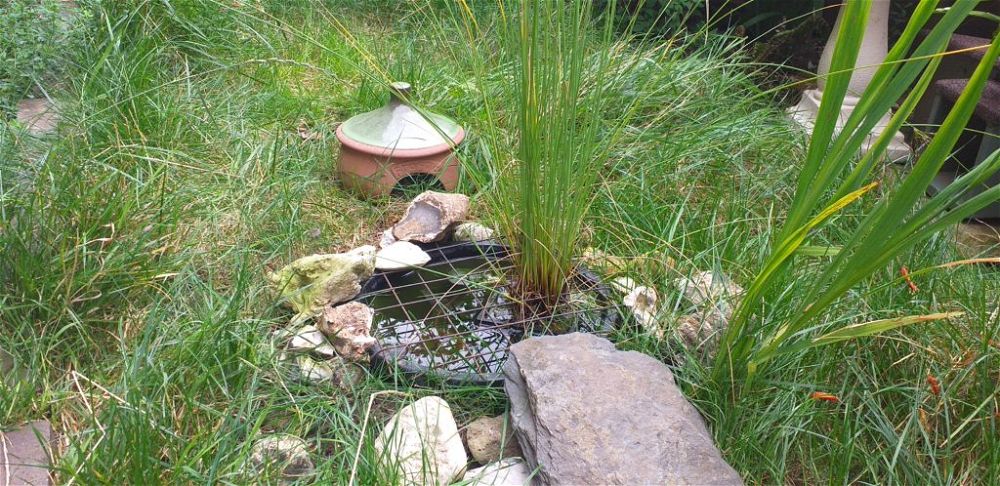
[{"x": 832, "y": 178}]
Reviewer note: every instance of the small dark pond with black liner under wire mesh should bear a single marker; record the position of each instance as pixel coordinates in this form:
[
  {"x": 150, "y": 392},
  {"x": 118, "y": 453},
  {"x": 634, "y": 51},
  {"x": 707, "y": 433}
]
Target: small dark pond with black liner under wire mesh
[{"x": 447, "y": 322}]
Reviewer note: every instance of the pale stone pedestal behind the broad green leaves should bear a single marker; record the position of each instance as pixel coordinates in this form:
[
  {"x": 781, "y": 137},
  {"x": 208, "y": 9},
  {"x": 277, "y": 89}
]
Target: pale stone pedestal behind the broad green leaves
[{"x": 874, "y": 47}]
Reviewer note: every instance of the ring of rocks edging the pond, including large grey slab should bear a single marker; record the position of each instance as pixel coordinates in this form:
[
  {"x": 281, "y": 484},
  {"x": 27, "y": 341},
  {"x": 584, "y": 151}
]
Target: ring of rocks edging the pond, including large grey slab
[{"x": 662, "y": 437}]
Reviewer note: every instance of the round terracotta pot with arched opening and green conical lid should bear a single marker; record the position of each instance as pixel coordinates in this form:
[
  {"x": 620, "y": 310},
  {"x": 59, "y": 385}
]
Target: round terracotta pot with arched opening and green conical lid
[{"x": 380, "y": 148}]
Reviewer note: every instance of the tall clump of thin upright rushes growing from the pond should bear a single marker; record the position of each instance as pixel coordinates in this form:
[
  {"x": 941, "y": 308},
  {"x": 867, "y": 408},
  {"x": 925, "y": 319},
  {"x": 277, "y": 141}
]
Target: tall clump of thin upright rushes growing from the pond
[{"x": 549, "y": 131}]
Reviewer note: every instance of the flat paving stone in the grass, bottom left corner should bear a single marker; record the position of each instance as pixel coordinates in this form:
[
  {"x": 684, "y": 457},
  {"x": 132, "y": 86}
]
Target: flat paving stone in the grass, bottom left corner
[{"x": 24, "y": 455}]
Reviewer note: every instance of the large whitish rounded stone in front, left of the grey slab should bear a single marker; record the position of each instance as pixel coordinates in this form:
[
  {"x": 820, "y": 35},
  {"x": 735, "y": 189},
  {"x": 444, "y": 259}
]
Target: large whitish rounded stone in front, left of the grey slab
[{"x": 422, "y": 442}]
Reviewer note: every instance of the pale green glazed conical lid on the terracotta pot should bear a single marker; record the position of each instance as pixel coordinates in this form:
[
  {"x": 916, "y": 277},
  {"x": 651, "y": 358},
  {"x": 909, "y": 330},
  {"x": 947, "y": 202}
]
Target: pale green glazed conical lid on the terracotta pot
[{"x": 399, "y": 126}]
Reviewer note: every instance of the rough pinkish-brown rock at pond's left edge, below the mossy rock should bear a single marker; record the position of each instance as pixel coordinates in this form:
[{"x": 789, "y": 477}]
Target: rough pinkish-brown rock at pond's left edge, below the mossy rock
[{"x": 349, "y": 327}]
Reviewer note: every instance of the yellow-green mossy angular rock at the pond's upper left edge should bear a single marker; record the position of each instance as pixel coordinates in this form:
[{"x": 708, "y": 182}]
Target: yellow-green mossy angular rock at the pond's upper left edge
[{"x": 311, "y": 282}]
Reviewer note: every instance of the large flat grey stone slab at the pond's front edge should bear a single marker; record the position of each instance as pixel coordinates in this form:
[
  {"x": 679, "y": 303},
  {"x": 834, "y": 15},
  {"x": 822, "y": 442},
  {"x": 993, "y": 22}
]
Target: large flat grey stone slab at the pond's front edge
[{"x": 586, "y": 413}]
